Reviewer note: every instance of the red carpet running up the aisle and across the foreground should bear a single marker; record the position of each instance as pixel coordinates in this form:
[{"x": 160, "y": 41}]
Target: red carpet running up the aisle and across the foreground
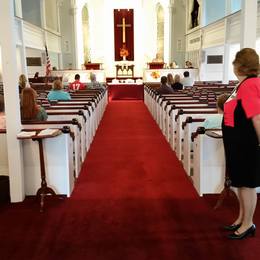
[{"x": 132, "y": 202}]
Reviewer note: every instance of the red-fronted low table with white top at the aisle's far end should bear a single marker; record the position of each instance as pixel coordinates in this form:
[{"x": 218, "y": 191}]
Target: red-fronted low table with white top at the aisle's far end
[{"x": 125, "y": 91}]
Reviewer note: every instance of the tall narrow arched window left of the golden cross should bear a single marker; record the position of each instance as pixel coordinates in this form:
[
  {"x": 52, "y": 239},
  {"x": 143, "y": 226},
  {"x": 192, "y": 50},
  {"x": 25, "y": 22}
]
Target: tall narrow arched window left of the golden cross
[{"x": 85, "y": 28}]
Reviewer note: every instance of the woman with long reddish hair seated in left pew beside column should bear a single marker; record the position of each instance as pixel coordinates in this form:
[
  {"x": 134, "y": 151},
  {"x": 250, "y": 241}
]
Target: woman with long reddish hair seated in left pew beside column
[{"x": 29, "y": 108}]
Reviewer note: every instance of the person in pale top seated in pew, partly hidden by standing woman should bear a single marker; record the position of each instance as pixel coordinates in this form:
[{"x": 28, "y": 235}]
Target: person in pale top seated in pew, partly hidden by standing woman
[{"x": 215, "y": 121}]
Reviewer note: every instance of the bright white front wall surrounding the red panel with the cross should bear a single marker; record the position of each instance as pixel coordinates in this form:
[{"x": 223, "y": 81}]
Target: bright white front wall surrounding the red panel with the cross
[{"x": 101, "y": 24}]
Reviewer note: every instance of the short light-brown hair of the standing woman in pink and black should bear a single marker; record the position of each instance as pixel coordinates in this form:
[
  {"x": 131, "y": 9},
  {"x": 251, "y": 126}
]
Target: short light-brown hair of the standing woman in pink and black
[{"x": 247, "y": 62}]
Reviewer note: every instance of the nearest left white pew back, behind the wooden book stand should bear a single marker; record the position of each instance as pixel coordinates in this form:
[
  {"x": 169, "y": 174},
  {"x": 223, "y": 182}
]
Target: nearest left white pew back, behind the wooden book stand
[{"x": 59, "y": 168}]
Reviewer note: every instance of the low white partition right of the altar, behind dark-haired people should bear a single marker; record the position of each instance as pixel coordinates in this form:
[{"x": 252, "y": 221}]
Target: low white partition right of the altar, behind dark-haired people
[{"x": 154, "y": 75}]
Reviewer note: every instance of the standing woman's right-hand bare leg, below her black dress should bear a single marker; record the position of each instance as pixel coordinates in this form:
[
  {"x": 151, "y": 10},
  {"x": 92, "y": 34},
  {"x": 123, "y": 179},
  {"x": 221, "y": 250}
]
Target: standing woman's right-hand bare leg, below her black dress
[{"x": 248, "y": 198}]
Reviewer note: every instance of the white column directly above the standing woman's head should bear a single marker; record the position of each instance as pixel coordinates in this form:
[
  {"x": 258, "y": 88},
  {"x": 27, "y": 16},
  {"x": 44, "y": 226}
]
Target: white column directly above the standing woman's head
[{"x": 248, "y": 23}]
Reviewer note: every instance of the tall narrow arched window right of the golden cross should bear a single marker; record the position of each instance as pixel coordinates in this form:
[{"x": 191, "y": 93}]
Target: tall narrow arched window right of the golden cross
[{"x": 160, "y": 31}]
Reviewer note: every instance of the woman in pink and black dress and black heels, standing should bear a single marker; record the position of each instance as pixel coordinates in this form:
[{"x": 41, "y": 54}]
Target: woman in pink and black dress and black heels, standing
[{"x": 241, "y": 135}]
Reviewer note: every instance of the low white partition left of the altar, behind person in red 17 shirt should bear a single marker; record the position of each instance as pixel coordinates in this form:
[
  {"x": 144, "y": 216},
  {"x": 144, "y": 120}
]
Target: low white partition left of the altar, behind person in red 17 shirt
[{"x": 68, "y": 75}]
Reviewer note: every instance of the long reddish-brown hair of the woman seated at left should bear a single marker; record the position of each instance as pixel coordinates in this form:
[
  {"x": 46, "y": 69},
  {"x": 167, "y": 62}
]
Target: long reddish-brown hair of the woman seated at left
[{"x": 29, "y": 108}]
